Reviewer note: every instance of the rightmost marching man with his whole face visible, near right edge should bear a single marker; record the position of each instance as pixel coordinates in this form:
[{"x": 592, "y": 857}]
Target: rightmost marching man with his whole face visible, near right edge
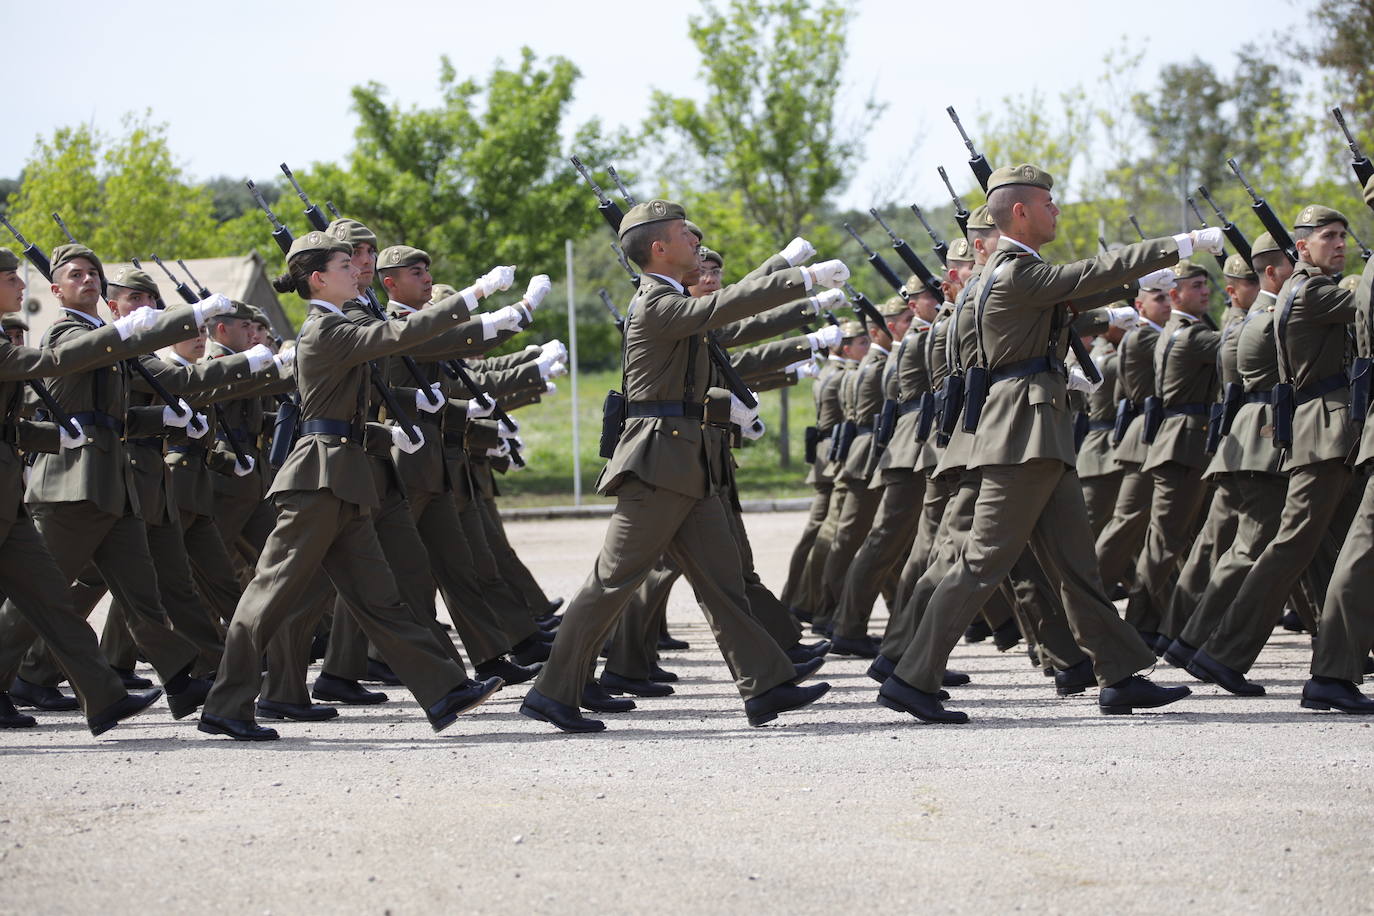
[{"x": 1311, "y": 326}]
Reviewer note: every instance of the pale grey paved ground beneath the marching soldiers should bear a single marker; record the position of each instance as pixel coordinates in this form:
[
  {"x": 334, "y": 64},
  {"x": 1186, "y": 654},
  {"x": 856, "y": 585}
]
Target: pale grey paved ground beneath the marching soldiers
[{"x": 1038, "y": 805}]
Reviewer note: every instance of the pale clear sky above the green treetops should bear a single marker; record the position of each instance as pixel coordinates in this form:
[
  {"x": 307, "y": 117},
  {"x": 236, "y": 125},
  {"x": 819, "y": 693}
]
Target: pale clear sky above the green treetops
[{"x": 223, "y": 78}]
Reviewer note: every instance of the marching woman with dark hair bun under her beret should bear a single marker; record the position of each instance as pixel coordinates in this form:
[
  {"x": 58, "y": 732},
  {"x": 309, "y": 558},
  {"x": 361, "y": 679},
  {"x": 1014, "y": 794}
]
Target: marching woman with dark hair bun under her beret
[{"x": 325, "y": 496}]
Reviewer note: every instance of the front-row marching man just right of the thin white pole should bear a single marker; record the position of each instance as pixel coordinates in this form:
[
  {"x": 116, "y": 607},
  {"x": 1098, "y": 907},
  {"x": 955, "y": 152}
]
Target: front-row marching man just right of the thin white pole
[{"x": 666, "y": 476}]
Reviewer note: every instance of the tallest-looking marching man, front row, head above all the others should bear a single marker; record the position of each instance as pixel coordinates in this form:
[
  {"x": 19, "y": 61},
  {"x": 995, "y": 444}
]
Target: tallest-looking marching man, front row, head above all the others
[{"x": 1024, "y": 448}]
